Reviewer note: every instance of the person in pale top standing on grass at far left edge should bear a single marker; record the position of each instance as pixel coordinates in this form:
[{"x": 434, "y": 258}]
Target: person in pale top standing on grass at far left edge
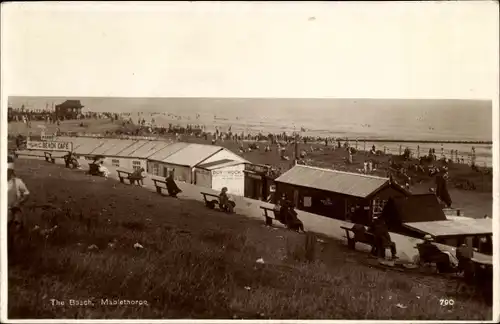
[{"x": 17, "y": 193}]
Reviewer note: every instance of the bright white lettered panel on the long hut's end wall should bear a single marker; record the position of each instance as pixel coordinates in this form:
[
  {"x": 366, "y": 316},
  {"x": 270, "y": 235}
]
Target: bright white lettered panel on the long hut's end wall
[{"x": 231, "y": 177}]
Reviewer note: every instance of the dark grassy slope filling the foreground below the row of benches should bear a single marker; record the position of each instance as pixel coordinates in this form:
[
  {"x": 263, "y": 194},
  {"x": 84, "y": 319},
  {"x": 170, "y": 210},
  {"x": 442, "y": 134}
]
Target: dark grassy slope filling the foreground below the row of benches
[{"x": 195, "y": 263}]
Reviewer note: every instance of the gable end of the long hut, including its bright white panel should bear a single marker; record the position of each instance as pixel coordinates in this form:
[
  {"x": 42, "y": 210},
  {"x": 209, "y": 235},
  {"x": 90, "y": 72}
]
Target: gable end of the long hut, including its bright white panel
[{"x": 221, "y": 173}]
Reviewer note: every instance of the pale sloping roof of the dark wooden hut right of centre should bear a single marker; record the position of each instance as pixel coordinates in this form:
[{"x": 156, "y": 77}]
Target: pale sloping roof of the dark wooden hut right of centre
[{"x": 351, "y": 184}]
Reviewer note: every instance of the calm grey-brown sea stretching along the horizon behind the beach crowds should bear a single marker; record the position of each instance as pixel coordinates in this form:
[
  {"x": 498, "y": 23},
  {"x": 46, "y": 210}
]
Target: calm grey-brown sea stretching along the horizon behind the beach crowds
[{"x": 393, "y": 120}]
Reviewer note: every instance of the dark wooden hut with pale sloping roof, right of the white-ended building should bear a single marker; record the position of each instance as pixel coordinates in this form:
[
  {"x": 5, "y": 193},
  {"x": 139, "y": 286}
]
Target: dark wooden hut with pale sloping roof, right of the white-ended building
[{"x": 337, "y": 194}]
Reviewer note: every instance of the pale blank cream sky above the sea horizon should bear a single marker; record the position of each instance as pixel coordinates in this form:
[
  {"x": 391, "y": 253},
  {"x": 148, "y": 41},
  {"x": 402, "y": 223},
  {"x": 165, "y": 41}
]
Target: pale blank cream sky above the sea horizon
[{"x": 318, "y": 50}]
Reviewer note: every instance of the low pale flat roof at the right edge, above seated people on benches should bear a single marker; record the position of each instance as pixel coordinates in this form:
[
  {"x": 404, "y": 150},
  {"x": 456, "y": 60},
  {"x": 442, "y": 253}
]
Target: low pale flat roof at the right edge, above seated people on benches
[{"x": 455, "y": 227}]
